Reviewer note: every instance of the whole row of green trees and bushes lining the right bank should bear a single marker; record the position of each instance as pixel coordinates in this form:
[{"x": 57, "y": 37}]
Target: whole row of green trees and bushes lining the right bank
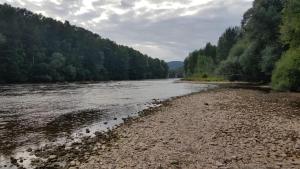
[{"x": 265, "y": 48}]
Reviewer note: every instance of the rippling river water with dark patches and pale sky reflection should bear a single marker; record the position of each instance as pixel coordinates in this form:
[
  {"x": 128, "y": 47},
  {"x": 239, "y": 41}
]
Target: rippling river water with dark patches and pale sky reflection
[{"x": 33, "y": 114}]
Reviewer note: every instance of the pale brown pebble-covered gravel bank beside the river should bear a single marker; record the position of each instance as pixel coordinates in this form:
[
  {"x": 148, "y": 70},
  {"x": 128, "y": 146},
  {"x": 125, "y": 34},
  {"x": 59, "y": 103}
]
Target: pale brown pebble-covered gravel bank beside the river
[{"x": 223, "y": 128}]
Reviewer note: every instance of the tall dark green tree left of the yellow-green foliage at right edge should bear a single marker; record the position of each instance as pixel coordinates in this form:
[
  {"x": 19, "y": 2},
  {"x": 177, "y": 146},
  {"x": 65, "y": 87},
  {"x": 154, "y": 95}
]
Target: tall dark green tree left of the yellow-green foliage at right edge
[{"x": 261, "y": 29}]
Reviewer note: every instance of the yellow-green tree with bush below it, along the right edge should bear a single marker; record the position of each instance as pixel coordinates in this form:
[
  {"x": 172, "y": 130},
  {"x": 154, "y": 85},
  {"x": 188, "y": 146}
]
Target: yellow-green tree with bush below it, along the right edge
[{"x": 287, "y": 73}]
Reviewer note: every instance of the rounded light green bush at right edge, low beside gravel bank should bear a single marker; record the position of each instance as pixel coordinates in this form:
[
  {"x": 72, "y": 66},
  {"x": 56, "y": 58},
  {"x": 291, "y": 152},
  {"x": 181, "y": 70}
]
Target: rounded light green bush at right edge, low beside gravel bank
[{"x": 286, "y": 76}]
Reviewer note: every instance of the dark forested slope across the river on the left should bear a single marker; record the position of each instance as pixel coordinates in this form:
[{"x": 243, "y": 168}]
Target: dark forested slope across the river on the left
[{"x": 34, "y": 48}]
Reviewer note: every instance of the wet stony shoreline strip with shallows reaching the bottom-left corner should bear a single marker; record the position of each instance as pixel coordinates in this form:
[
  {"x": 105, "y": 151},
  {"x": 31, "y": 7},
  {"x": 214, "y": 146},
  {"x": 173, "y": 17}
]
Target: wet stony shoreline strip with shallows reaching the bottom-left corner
[{"x": 58, "y": 156}]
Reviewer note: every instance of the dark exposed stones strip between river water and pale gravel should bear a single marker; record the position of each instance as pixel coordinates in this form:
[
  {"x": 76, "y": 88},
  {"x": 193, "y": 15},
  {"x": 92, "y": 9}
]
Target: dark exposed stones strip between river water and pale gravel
[{"x": 103, "y": 140}]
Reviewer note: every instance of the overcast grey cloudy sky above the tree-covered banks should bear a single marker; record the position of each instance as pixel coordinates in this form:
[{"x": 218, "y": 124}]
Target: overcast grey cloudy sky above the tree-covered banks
[{"x": 165, "y": 29}]
